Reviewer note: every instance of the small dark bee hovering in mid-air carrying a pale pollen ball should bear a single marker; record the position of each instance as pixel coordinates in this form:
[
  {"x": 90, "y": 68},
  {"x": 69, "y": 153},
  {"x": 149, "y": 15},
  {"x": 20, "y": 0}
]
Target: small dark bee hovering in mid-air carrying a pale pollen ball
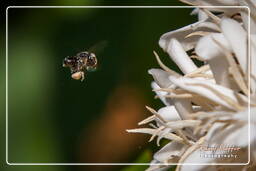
[{"x": 80, "y": 63}]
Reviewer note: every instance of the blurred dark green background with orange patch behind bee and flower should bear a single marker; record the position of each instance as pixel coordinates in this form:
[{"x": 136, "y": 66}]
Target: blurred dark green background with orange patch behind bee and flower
[{"x": 54, "y": 119}]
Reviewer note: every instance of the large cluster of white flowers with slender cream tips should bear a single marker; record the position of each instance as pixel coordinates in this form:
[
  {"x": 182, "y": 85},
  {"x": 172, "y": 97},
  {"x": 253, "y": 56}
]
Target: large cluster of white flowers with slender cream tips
[{"x": 207, "y": 107}]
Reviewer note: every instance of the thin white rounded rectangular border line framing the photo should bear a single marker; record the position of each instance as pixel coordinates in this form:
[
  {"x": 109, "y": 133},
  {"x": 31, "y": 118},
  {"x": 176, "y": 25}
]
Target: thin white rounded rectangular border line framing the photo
[{"x": 168, "y": 164}]
